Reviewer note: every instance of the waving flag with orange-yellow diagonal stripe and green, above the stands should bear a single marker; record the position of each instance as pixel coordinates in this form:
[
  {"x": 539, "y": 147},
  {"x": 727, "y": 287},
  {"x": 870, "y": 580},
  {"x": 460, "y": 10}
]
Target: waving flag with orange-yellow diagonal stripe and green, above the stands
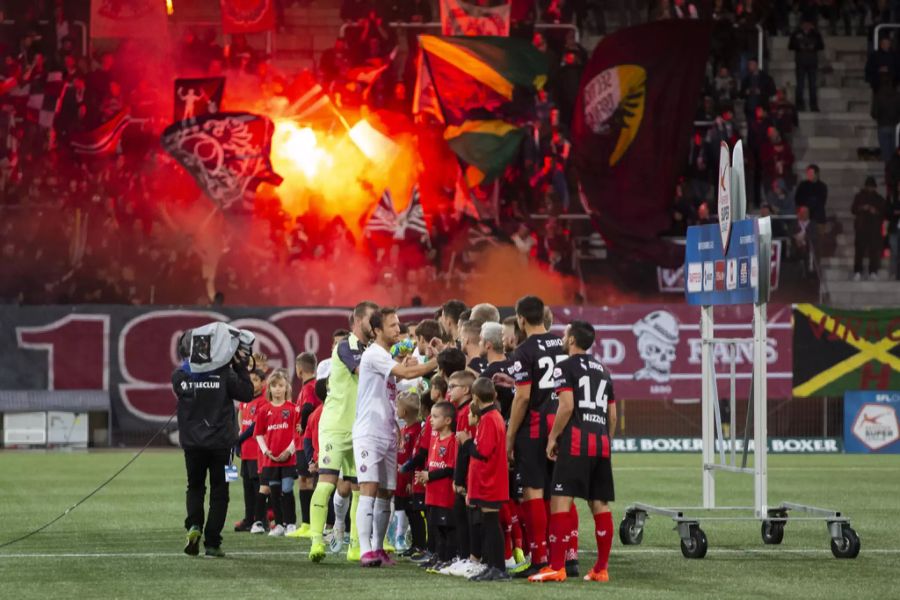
[{"x": 484, "y": 89}]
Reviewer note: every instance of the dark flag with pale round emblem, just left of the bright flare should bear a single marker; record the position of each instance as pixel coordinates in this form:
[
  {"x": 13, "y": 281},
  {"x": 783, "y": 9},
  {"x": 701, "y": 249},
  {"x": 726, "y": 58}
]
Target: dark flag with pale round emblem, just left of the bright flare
[{"x": 226, "y": 153}]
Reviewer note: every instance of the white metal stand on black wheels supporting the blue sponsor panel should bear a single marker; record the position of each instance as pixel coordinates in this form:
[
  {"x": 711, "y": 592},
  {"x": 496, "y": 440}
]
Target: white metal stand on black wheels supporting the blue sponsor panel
[{"x": 719, "y": 453}]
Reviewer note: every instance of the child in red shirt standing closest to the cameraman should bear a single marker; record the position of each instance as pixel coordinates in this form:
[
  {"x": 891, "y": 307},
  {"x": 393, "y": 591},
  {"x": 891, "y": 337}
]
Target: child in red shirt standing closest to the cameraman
[{"x": 254, "y": 502}]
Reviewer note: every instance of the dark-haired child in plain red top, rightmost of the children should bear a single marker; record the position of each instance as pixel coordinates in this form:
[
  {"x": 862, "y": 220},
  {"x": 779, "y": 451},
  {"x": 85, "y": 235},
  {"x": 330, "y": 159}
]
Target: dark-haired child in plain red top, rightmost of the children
[{"x": 487, "y": 484}]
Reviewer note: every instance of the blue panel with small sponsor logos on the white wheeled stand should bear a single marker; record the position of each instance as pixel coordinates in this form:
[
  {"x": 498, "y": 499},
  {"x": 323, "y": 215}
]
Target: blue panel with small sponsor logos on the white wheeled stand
[{"x": 713, "y": 277}]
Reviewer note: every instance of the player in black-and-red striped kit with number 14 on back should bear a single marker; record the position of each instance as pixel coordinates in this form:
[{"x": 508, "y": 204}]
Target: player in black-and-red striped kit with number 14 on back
[{"x": 580, "y": 443}]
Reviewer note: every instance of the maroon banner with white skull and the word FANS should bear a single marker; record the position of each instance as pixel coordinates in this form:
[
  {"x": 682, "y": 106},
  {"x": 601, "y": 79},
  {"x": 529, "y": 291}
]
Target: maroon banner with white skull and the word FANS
[{"x": 653, "y": 351}]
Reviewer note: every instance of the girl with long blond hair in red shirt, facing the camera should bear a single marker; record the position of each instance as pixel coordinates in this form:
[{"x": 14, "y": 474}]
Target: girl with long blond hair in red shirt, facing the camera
[{"x": 276, "y": 428}]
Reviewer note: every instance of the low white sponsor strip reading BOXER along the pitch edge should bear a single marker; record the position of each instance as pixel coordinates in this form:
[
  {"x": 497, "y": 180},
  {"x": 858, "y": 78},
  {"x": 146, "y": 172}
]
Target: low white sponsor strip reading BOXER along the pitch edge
[{"x": 665, "y": 445}]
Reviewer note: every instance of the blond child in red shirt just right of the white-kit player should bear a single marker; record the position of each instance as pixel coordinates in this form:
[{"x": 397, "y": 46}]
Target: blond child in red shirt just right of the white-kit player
[{"x": 405, "y": 499}]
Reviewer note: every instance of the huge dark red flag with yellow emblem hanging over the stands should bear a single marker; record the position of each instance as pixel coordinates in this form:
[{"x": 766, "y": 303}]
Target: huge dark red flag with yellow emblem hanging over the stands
[{"x": 631, "y": 130}]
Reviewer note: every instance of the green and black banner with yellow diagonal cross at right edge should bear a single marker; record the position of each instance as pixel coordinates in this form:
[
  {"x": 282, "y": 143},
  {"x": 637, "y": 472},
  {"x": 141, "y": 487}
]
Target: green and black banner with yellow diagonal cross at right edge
[{"x": 839, "y": 350}]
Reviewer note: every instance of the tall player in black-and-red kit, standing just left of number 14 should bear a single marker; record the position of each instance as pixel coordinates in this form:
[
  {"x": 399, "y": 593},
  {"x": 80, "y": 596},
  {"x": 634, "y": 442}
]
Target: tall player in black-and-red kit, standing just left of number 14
[{"x": 526, "y": 439}]
